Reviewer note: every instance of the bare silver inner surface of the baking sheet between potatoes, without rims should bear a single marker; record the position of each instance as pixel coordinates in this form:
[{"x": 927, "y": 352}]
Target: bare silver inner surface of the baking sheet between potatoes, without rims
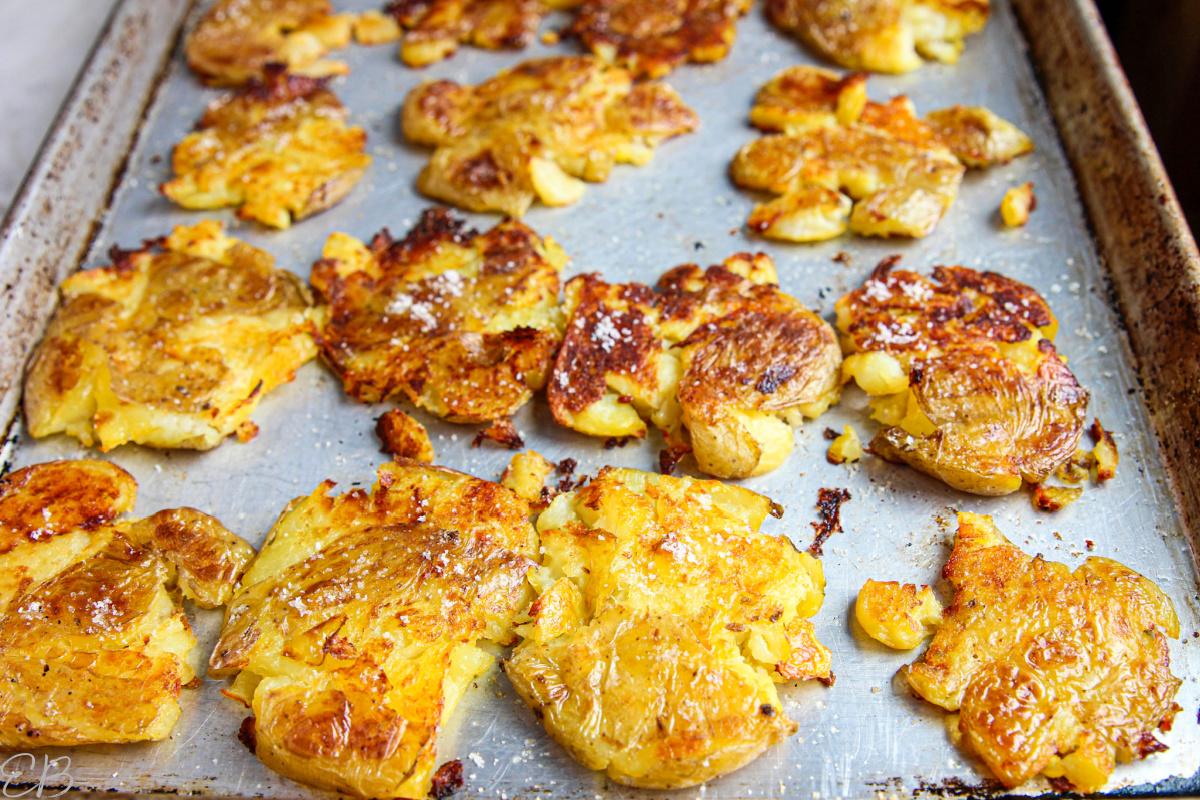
[{"x": 865, "y": 735}]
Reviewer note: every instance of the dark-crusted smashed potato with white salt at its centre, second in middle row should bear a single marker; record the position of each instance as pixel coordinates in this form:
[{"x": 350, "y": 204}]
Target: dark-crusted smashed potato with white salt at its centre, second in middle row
[{"x": 463, "y": 324}]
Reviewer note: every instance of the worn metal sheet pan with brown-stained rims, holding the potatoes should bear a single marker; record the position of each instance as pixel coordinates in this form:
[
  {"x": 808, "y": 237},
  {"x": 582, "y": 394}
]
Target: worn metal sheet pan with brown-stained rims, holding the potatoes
[{"x": 95, "y": 187}]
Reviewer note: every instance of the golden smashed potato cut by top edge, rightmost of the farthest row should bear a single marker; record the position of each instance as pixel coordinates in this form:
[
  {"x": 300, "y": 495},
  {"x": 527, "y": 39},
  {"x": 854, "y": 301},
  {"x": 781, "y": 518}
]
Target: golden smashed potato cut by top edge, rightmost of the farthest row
[{"x": 881, "y": 35}]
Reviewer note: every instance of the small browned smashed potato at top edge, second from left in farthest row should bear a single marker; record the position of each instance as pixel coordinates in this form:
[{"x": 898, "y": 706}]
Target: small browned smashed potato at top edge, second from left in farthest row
[{"x": 436, "y": 28}]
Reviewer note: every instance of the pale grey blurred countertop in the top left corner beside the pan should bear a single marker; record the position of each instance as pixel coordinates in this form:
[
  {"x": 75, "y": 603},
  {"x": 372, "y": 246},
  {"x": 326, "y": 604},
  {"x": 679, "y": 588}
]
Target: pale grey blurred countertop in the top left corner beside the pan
[{"x": 43, "y": 49}]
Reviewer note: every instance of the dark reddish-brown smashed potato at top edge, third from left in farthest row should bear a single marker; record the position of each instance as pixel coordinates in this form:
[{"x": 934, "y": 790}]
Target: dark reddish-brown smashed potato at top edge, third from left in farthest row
[{"x": 651, "y": 38}]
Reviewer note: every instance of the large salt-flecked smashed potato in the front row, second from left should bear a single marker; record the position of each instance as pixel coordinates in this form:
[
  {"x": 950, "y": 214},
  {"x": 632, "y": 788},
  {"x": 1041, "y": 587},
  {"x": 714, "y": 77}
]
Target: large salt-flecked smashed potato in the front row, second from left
[{"x": 355, "y": 633}]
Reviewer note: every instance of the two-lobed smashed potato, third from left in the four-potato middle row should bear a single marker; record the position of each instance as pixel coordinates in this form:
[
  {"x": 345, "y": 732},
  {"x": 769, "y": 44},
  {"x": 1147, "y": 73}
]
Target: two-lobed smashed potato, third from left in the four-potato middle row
[{"x": 721, "y": 354}]
